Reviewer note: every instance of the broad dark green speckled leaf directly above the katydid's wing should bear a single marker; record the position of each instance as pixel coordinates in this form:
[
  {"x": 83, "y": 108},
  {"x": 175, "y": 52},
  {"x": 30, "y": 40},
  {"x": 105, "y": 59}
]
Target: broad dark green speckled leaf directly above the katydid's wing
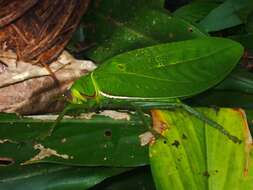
[{"x": 139, "y": 26}]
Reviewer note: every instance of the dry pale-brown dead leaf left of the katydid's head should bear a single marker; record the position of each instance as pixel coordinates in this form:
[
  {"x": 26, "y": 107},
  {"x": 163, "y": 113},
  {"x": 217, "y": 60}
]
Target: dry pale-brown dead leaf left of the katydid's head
[{"x": 28, "y": 89}]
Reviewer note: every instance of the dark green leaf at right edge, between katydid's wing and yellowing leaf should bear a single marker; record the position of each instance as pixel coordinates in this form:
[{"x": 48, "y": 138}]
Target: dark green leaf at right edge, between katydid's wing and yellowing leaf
[{"x": 235, "y": 91}]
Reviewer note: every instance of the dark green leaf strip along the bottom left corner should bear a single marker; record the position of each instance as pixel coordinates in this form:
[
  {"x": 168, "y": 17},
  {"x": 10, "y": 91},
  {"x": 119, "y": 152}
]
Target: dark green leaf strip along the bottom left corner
[{"x": 54, "y": 177}]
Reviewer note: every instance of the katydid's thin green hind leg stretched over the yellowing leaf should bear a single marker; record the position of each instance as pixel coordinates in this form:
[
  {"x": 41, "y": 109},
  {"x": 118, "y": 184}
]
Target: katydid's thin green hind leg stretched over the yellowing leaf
[{"x": 199, "y": 115}]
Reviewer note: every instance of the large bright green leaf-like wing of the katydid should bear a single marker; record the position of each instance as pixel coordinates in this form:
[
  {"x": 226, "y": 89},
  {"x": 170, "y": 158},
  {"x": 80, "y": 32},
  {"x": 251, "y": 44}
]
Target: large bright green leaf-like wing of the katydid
[{"x": 177, "y": 69}]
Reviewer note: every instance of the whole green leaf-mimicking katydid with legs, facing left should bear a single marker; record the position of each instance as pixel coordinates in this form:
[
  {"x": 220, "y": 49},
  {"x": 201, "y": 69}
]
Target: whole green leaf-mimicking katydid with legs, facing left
[{"x": 158, "y": 77}]
